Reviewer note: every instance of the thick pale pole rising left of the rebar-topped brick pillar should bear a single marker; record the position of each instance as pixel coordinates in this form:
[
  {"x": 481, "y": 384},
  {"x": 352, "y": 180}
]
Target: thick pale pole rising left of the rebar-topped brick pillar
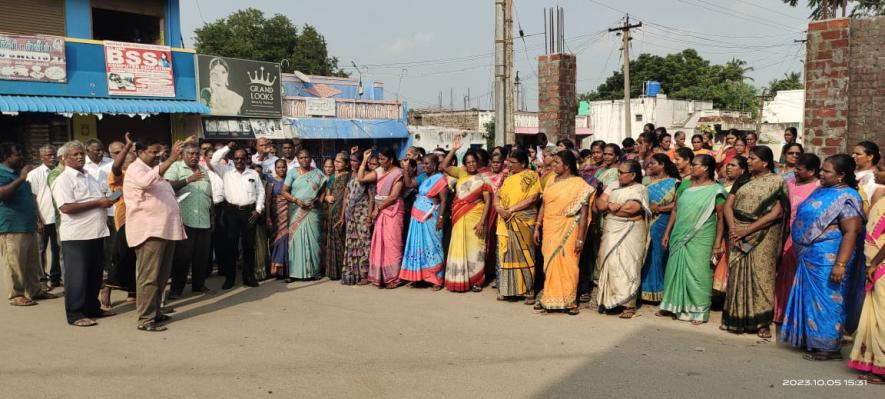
[{"x": 503, "y": 74}]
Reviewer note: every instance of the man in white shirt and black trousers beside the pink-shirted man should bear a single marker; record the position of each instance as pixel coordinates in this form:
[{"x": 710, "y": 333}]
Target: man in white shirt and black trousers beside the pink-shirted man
[{"x": 82, "y": 231}]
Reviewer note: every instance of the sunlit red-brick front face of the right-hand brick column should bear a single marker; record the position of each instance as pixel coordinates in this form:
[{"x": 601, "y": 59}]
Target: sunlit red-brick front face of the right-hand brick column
[{"x": 826, "y": 86}]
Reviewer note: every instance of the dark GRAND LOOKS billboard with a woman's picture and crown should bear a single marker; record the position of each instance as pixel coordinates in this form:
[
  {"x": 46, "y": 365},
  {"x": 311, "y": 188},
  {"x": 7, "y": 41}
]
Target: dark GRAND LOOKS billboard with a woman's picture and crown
[{"x": 236, "y": 87}]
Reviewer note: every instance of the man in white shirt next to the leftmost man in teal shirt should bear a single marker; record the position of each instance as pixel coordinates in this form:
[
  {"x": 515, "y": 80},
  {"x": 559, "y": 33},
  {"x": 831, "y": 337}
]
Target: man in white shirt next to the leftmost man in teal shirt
[{"x": 39, "y": 179}]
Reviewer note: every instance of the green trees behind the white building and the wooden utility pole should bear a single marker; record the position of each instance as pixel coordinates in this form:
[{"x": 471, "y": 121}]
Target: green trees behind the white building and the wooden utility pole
[{"x": 685, "y": 75}]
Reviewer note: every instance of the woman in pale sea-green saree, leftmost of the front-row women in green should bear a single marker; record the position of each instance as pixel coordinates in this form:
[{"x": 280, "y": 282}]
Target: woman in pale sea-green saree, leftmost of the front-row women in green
[{"x": 304, "y": 188}]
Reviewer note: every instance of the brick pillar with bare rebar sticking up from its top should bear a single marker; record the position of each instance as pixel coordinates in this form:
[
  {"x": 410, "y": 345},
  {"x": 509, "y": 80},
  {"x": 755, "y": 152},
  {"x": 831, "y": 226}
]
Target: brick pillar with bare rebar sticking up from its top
[{"x": 557, "y": 96}]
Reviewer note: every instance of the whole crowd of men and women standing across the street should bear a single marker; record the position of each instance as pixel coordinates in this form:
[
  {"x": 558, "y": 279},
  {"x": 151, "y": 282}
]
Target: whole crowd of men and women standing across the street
[{"x": 796, "y": 242}]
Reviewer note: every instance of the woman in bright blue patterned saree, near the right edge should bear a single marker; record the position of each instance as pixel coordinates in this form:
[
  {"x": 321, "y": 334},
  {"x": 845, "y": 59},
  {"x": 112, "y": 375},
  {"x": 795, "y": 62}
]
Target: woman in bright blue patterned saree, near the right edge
[{"x": 825, "y": 236}]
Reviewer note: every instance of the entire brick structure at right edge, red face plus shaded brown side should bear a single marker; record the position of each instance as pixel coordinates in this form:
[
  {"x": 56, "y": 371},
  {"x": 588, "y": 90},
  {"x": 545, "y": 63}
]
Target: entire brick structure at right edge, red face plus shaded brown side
[{"x": 844, "y": 83}]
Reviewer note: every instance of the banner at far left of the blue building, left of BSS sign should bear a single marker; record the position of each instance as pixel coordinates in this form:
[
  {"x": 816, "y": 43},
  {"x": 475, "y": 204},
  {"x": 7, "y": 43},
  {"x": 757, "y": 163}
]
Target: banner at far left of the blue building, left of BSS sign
[{"x": 38, "y": 58}]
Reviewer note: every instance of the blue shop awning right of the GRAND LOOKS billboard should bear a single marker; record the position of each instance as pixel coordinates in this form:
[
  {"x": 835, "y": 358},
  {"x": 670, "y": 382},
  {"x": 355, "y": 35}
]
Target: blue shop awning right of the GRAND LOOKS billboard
[{"x": 353, "y": 129}]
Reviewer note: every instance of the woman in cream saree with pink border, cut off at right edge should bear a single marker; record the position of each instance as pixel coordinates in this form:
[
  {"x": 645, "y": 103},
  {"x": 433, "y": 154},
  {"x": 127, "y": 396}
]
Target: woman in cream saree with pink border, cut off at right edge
[{"x": 868, "y": 352}]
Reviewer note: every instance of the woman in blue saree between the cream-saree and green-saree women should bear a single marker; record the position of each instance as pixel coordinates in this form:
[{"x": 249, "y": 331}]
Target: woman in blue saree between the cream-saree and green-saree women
[{"x": 663, "y": 179}]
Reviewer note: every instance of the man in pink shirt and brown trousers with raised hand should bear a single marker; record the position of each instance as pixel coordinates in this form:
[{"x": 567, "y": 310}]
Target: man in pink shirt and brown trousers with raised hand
[{"x": 153, "y": 224}]
